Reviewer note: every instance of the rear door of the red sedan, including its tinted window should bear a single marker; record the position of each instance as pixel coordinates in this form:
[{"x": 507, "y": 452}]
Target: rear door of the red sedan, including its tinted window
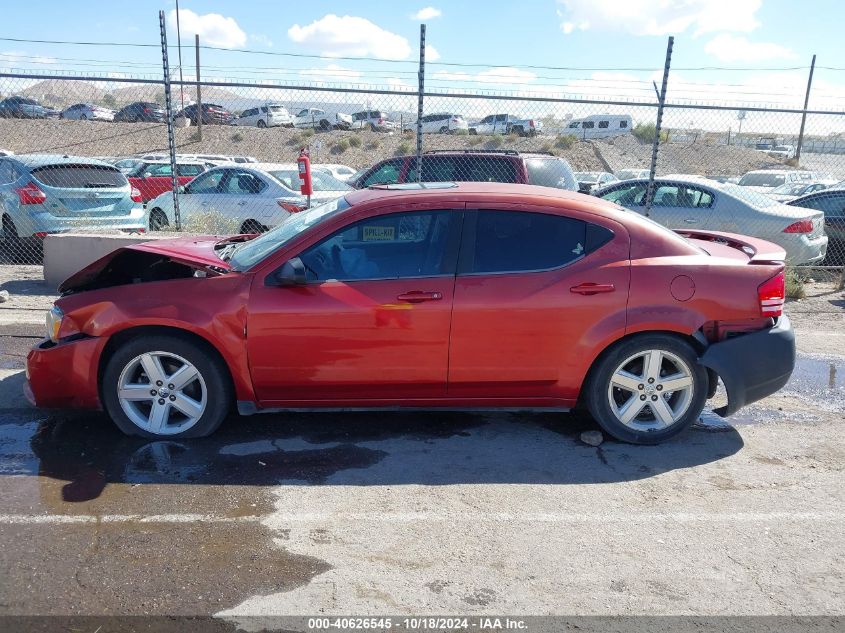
[{"x": 536, "y": 294}]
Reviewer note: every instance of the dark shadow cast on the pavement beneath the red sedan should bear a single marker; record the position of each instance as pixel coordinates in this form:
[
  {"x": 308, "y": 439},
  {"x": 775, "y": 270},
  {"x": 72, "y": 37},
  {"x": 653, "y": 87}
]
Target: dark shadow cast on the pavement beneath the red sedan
[{"x": 367, "y": 449}]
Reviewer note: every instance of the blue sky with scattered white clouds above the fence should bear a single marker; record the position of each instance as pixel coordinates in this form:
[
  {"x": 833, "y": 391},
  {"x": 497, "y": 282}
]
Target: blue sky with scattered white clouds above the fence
[{"x": 742, "y": 52}]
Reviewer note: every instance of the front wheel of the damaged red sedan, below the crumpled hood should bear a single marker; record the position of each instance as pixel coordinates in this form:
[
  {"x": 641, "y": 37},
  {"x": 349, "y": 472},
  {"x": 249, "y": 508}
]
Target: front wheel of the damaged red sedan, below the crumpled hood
[{"x": 207, "y": 395}]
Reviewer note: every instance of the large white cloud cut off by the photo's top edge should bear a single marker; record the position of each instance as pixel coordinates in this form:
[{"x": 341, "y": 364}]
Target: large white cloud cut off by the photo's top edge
[{"x": 659, "y": 17}]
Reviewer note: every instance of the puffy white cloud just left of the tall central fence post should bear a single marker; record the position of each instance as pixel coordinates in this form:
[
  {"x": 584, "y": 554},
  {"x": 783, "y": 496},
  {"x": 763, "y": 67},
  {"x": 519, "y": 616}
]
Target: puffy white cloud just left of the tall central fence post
[{"x": 336, "y": 36}]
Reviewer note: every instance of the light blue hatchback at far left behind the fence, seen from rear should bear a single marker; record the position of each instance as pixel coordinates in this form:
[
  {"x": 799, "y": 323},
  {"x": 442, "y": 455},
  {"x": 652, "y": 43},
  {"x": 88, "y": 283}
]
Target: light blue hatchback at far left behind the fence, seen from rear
[{"x": 46, "y": 193}]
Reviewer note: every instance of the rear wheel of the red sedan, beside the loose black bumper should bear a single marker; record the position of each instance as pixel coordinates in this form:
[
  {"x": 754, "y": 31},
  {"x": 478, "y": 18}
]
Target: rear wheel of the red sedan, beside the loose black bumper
[{"x": 609, "y": 400}]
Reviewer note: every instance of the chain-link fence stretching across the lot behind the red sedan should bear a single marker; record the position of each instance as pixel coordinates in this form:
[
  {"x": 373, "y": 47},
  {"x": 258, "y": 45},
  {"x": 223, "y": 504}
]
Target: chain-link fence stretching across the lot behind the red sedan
[{"x": 91, "y": 153}]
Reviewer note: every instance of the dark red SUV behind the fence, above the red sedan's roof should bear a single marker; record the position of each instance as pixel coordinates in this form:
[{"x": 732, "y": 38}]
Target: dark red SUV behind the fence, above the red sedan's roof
[{"x": 473, "y": 166}]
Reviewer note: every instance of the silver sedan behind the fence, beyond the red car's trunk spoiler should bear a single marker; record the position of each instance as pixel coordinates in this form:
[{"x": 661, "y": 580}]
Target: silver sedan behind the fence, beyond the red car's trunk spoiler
[{"x": 686, "y": 203}]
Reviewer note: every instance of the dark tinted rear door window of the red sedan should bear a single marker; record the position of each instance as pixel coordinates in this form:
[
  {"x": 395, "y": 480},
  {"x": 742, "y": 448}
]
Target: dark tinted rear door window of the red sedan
[{"x": 518, "y": 241}]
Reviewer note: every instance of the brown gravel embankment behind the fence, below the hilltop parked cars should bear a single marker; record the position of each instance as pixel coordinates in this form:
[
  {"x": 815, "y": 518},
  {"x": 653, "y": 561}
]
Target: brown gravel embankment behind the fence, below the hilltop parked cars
[{"x": 89, "y": 138}]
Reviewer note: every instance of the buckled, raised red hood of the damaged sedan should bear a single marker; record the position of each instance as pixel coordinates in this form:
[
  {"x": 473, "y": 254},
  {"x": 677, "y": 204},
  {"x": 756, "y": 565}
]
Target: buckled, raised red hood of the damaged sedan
[{"x": 196, "y": 252}]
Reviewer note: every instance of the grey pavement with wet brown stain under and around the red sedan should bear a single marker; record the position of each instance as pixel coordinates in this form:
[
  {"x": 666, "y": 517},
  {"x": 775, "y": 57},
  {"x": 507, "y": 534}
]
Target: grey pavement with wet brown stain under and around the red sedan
[{"x": 428, "y": 513}]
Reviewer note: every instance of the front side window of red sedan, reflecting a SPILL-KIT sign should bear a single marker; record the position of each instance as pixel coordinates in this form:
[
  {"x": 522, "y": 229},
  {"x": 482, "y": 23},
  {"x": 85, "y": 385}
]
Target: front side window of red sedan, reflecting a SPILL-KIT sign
[{"x": 393, "y": 246}]
